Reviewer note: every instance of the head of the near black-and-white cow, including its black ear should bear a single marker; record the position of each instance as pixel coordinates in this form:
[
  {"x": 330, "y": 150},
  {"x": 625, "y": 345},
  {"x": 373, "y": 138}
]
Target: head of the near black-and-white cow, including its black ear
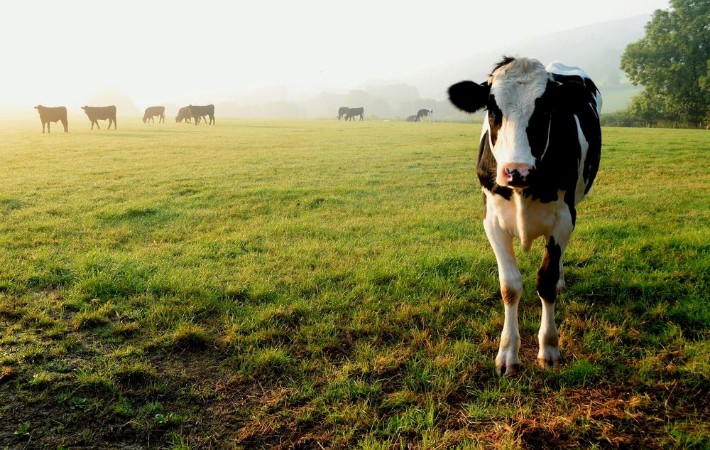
[{"x": 518, "y": 97}]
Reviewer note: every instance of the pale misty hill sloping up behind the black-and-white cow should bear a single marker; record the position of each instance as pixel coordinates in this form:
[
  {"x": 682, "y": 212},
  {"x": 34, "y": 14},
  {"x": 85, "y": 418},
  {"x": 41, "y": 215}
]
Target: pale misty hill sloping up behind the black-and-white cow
[{"x": 597, "y": 48}]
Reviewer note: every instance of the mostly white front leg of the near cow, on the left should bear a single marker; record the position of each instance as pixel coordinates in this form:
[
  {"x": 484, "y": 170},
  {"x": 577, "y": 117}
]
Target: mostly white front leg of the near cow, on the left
[{"x": 511, "y": 288}]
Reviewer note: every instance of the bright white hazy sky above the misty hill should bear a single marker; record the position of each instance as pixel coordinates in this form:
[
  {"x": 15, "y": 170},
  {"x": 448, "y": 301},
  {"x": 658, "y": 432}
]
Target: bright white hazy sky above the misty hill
[{"x": 199, "y": 51}]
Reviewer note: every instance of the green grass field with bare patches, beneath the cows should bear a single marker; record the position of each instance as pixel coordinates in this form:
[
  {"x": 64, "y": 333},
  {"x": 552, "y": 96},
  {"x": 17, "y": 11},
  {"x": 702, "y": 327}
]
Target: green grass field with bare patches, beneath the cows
[{"x": 321, "y": 284}]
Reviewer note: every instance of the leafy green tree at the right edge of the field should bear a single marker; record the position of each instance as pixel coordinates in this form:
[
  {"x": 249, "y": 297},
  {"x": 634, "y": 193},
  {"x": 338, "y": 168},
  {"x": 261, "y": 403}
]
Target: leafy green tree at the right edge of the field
[{"x": 672, "y": 62}]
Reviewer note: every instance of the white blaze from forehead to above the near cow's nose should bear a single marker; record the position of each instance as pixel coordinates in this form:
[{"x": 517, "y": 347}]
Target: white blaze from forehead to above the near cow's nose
[{"x": 516, "y": 86}]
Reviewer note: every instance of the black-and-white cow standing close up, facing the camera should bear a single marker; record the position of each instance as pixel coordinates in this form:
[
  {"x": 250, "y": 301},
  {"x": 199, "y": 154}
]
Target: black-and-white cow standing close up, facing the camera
[{"x": 538, "y": 156}]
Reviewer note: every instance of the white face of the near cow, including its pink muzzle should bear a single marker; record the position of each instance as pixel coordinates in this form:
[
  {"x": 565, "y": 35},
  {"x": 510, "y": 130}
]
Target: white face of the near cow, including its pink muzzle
[{"x": 514, "y": 91}]
